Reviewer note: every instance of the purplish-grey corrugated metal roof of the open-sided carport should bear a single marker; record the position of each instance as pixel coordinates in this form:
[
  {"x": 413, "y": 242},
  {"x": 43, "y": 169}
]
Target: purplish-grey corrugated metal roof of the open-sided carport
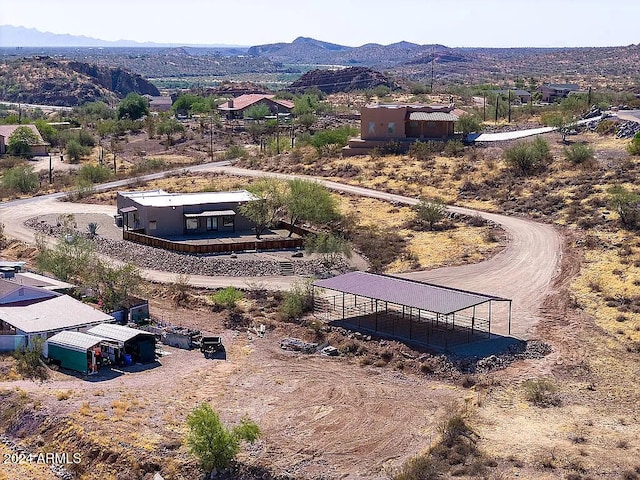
[{"x": 410, "y": 293}]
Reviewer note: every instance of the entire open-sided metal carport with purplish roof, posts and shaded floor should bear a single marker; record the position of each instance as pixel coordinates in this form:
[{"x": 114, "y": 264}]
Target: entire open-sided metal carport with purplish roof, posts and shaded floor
[{"x": 408, "y": 310}]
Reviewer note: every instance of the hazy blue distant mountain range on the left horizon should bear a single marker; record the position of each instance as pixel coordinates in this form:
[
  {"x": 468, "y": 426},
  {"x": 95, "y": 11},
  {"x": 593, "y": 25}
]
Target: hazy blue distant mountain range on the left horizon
[{"x": 12, "y": 36}]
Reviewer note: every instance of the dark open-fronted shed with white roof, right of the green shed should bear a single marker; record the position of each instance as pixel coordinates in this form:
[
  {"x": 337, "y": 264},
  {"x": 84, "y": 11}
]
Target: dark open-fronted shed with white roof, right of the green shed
[{"x": 125, "y": 342}]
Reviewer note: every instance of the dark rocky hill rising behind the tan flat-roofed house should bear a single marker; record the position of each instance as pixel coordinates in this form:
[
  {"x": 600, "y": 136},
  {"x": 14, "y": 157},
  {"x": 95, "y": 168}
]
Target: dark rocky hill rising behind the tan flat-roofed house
[{"x": 343, "y": 80}]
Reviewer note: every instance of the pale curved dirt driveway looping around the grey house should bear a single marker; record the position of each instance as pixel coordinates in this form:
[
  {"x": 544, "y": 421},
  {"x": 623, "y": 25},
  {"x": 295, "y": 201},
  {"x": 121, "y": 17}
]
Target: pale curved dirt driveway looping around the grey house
[{"x": 523, "y": 271}]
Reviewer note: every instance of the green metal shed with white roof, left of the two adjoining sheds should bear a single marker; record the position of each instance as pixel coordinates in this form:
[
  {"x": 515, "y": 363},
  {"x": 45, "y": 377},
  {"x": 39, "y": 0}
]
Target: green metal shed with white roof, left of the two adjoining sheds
[{"x": 75, "y": 350}]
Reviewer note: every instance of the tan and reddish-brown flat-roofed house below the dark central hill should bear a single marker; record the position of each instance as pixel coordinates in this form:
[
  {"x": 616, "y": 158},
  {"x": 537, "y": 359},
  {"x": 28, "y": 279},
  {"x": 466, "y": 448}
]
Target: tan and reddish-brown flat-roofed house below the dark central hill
[{"x": 402, "y": 123}]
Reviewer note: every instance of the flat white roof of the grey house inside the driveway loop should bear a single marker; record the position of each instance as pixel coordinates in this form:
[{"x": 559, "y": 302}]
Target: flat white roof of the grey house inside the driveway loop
[{"x": 160, "y": 198}]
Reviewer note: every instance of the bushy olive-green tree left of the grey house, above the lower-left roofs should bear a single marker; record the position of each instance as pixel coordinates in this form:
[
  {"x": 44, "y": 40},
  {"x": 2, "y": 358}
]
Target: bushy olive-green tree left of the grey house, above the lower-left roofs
[{"x": 70, "y": 259}]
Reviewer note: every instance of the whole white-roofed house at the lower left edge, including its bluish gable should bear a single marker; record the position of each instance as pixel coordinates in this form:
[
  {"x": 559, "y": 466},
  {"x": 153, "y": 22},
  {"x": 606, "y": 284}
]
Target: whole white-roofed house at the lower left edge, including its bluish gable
[{"x": 28, "y": 312}]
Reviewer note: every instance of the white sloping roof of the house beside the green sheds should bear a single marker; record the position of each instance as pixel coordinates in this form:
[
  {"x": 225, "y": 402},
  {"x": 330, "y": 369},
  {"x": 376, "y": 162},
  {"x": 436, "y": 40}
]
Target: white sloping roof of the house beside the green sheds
[{"x": 57, "y": 313}]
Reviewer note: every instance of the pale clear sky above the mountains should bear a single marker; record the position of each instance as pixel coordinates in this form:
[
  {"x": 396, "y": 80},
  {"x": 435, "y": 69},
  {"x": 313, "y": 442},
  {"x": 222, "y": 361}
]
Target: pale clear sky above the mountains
[{"x": 454, "y": 23}]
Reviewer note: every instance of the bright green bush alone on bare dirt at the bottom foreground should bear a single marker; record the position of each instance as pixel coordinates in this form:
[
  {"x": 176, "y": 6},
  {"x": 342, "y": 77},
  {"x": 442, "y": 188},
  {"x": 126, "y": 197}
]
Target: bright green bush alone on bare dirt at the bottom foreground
[{"x": 215, "y": 445}]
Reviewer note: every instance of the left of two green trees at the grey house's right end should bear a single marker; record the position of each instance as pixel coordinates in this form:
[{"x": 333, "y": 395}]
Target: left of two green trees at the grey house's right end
[{"x": 264, "y": 211}]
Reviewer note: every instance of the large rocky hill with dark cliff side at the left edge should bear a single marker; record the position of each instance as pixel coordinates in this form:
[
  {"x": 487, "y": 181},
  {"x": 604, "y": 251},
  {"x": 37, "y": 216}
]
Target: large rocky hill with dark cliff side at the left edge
[{"x": 47, "y": 81}]
